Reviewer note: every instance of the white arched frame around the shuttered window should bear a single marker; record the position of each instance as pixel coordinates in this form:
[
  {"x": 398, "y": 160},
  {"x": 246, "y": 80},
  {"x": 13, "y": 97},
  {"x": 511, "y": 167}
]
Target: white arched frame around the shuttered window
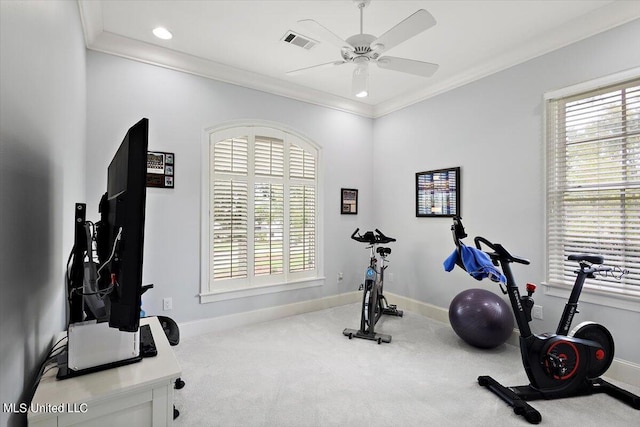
[{"x": 229, "y": 130}]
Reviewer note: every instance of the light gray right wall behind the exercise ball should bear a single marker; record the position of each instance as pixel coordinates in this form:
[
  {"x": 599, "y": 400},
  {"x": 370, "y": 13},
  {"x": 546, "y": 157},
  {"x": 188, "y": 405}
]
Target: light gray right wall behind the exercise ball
[{"x": 493, "y": 129}]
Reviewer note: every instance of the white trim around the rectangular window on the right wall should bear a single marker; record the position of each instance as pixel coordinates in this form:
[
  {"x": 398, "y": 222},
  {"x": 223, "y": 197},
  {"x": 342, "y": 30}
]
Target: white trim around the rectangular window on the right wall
[{"x": 589, "y": 295}]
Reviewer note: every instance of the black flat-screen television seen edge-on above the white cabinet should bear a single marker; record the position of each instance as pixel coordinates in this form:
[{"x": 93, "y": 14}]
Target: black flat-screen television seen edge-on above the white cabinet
[{"x": 120, "y": 237}]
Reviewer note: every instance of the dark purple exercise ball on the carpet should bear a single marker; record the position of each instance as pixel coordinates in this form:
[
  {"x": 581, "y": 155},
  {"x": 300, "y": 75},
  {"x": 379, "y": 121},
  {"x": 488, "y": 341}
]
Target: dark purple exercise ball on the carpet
[{"x": 481, "y": 318}]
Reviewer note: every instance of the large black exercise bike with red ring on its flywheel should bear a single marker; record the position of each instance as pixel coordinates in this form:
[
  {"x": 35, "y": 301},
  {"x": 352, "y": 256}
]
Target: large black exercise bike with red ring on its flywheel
[{"x": 559, "y": 365}]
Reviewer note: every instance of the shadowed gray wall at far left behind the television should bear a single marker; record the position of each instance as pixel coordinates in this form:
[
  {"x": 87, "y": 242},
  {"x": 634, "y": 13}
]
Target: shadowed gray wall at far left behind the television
[{"x": 42, "y": 144}]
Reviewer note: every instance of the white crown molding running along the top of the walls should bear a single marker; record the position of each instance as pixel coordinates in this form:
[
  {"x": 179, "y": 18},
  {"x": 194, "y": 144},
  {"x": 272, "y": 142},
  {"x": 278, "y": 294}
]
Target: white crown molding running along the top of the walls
[{"x": 597, "y": 21}]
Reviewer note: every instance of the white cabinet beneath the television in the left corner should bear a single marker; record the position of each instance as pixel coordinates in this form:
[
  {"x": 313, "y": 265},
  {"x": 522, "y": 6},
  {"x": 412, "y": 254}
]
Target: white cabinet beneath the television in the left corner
[{"x": 139, "y": 394}]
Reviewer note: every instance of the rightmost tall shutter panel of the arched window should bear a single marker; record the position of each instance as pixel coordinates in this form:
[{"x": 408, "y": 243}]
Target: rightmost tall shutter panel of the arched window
[{"x": 302, "y": 210}]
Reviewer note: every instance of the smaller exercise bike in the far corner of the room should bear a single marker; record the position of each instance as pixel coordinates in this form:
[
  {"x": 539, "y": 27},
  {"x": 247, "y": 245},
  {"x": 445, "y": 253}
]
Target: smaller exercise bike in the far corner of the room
[{"x": 374, "y": 303}]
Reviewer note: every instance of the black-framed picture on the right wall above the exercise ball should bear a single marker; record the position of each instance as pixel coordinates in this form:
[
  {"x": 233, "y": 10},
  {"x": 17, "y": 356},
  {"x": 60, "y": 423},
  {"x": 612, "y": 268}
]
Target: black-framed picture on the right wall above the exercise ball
[{"x": 438, "y": 193}]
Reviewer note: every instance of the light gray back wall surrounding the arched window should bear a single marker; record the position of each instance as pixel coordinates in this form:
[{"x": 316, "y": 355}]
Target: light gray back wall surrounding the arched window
[{"x": 180, "y": 107}]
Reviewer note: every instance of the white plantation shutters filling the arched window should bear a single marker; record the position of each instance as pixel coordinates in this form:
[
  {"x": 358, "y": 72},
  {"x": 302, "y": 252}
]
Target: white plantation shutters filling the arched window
[{"x": 263, "y": 210}]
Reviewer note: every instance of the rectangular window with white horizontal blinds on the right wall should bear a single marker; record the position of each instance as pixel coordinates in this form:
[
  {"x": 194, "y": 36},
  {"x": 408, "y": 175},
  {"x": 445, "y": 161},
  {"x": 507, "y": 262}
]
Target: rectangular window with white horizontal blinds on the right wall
[{"x": 593, "y": 185}]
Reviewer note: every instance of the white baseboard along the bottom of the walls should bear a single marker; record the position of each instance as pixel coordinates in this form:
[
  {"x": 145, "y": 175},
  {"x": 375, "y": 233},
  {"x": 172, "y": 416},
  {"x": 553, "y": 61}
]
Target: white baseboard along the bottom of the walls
[{"x": 620, "y": 370}]
